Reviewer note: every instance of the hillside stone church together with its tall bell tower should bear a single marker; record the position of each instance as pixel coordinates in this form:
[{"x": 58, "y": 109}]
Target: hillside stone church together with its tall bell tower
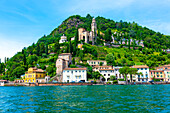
[{"x": 89, "y": 36}]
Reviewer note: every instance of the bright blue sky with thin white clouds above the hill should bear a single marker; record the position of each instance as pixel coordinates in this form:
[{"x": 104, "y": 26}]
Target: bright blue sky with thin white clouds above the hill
[{"x": 23, "y": 22}]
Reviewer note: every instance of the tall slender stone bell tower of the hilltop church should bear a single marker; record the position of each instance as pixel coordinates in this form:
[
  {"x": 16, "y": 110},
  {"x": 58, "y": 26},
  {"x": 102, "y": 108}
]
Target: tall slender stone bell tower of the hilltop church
[{"x": 94, "y": 31}]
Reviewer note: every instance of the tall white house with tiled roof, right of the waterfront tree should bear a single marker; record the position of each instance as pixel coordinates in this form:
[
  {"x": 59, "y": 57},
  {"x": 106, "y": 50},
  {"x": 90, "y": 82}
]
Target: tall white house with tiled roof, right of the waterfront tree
[{"x": 144, "y": 69}]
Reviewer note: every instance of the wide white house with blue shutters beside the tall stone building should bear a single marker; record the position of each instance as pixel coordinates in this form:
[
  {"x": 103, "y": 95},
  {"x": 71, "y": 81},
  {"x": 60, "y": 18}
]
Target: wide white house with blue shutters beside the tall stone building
[{"x": 75, "y": 75}]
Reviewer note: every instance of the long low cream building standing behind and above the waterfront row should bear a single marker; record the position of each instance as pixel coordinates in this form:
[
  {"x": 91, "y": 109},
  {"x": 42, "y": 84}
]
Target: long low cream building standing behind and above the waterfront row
[{"x": 96, "y": 62}]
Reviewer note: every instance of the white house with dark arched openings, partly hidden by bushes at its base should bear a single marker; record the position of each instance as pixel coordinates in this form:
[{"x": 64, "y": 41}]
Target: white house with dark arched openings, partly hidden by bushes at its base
[{"x": 106, "y": 73}]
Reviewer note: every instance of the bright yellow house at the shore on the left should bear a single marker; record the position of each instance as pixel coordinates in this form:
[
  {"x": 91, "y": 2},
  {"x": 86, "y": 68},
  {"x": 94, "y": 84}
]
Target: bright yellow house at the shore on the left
[{"x": 34, "y": 75}]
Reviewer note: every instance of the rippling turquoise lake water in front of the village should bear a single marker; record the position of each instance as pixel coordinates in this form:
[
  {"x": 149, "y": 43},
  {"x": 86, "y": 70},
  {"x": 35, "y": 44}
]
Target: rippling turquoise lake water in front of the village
[{"x": 111, "y": 98}]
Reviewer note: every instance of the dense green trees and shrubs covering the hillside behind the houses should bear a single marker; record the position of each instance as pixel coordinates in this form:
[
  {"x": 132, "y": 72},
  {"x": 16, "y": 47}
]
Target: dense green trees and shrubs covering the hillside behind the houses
[{"x": 44, "y": 53}]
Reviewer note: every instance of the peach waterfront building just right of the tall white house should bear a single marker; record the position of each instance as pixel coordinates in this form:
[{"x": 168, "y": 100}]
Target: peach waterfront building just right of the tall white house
[{"x": 157, "y": 74}]
